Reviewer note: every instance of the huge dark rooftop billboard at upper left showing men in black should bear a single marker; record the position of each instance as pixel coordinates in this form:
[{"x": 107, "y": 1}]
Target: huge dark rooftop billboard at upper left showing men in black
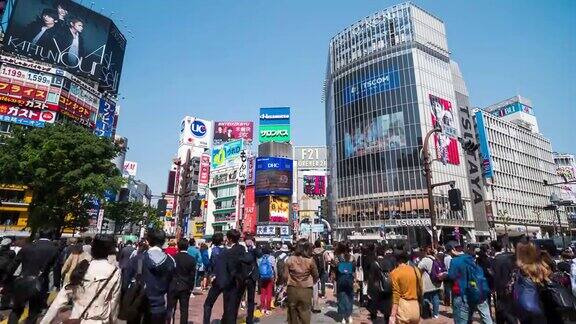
[{"x": 68, "y": 35}]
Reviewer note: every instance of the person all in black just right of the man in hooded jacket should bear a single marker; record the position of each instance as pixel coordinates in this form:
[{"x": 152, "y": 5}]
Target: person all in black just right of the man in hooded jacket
[{"x": 182, "y": 282}]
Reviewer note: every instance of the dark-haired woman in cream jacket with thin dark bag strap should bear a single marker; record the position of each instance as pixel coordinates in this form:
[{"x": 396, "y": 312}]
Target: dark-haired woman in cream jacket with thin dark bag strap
[{"x": 94, "y": 288}]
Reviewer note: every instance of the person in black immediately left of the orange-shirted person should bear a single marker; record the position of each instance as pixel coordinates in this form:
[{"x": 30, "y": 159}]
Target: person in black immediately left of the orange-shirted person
[{"x": 379, "y": 284}]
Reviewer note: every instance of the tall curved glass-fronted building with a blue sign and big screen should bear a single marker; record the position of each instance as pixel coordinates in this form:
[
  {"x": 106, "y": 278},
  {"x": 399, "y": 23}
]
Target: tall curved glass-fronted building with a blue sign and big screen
[{"x": 388, "y": 79}]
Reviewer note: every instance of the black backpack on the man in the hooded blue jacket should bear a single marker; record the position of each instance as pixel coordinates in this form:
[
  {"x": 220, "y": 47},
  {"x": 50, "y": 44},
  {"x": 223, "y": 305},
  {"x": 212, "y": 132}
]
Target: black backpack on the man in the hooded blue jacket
[{"x": 132, "y": 301}]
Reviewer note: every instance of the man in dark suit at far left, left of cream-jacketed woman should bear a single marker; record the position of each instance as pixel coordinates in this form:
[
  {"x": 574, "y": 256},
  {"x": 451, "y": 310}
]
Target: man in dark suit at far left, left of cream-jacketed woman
[{"x": 37, "y": 259}]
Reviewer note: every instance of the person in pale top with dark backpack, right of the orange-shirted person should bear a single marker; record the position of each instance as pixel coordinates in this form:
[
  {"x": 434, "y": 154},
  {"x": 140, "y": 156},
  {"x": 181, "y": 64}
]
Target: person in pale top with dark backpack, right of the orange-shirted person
[{"x": 433, "y": 273}]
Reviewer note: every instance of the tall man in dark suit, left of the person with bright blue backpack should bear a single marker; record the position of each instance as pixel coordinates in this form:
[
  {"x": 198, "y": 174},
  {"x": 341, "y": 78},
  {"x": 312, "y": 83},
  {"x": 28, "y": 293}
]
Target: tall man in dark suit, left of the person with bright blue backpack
[{"x": 237, "y": 271}]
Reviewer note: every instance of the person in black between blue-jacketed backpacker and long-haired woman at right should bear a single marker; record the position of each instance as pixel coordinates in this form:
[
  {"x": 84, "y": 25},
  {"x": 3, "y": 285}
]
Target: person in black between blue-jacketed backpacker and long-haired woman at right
[{"x": 503, "y": 266}]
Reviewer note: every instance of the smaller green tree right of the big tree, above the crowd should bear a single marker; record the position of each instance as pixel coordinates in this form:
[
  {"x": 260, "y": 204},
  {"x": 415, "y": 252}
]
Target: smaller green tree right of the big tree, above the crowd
[{"x": 131, "y": 212}]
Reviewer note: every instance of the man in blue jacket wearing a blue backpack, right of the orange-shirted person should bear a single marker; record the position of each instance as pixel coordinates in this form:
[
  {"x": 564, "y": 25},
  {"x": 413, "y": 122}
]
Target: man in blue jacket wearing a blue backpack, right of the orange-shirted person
[{"x": 470, "y": 290}]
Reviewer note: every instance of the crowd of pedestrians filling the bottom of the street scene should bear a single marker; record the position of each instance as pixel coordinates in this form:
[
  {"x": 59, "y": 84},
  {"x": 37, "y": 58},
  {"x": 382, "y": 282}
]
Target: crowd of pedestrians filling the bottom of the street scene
[{"x": 101, "y": 281}]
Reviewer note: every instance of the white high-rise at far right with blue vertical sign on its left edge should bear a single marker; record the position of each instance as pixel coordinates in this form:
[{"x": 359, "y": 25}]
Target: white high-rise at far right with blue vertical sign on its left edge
[{"x": 516, "y": 161}]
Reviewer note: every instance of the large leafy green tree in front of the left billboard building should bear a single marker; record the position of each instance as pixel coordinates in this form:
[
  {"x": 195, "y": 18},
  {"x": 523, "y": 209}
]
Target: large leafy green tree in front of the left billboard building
[{"x": 64, "y": 165}]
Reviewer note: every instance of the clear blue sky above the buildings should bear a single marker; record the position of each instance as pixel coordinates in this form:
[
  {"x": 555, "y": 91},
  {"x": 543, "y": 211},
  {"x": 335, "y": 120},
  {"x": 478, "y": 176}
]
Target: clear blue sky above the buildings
[{"x": 222, "y": 60}]
